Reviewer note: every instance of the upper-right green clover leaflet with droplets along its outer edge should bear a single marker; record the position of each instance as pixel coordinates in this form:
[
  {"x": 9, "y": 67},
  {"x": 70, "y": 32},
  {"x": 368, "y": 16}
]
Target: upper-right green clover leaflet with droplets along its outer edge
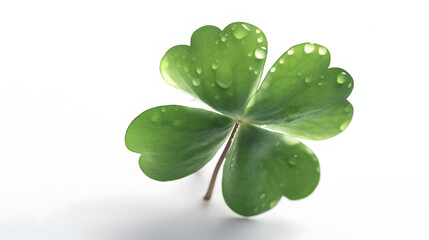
[{"x": 301, "y": 88}]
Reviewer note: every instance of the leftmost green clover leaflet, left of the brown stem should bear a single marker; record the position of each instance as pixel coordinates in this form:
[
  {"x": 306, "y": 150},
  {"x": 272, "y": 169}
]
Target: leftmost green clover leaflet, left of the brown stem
[{"x": 175, "y": 141}]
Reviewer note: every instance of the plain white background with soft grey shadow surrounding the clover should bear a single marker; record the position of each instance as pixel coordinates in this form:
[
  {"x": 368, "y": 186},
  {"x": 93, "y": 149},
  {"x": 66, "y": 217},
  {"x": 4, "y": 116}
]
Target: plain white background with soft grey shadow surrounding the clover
[{"x": 73, "y": 74}]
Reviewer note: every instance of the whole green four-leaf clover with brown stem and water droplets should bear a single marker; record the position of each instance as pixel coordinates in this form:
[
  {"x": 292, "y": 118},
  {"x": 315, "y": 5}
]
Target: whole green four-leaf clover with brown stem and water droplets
[{"x": 300, "y": 97}]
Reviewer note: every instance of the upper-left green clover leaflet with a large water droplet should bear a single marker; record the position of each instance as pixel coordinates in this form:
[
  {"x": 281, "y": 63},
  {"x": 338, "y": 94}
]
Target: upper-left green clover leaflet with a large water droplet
[{"x": 221, "y": 67}]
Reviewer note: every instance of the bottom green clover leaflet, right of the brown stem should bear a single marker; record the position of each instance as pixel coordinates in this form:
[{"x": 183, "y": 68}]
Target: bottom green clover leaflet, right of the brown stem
[{"x": 263, "y": 166}]
